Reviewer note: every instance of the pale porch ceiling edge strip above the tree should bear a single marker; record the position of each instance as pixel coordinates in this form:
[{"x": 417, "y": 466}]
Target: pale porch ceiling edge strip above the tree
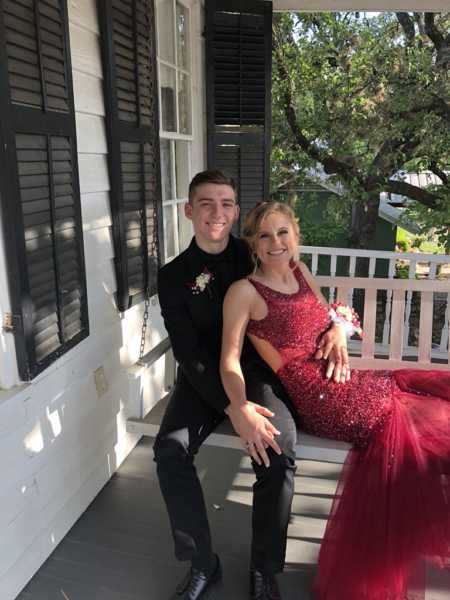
[{"x": 362, "y": 5}]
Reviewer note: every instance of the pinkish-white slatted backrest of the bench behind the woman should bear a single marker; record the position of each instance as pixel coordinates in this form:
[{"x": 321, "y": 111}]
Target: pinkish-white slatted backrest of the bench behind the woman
[{"x": 392, "y": 356}]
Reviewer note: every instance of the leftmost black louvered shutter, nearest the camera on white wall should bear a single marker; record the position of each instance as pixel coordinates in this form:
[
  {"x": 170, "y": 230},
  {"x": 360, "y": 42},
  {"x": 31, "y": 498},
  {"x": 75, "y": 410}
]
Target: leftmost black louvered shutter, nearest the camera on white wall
[{"x": 39, "y": 184}]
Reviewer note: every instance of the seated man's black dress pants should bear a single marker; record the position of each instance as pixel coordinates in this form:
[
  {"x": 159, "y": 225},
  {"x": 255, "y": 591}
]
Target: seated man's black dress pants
[{"x": 186, "y": 424}]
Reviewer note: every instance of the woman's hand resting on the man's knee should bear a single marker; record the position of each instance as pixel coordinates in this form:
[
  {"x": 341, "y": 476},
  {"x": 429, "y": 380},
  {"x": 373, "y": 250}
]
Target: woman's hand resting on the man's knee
[{"x": 254, "y": 428}]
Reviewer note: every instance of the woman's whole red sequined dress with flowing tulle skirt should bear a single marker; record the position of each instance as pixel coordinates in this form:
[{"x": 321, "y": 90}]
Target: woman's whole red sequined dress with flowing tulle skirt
[{"x": 392, "y": 508}]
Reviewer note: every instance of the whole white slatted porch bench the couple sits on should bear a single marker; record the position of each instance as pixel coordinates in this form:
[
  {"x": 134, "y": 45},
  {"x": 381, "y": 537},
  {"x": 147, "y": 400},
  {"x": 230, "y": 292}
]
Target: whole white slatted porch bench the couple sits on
[{"x": 366, "y": 355}]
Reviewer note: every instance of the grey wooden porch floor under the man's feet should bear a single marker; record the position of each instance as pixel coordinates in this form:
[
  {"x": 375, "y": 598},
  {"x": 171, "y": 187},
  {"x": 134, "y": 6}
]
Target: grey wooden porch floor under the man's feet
[{"x": 120, "y": 548}]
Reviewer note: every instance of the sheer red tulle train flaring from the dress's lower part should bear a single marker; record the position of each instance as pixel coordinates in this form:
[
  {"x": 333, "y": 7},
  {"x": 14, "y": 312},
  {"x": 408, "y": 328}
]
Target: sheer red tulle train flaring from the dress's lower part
[{"x": 392, "y": 509}]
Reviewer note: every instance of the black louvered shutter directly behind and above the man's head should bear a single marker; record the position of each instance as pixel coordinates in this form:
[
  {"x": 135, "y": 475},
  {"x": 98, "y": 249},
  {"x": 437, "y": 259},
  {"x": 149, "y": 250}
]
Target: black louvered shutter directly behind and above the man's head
[{"x": 238, "y": 84}]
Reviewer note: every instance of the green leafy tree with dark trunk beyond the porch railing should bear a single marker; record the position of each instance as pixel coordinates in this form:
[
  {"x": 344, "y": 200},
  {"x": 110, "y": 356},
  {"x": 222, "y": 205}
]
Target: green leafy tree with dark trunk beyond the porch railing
[{"x": 365, "y": 99}]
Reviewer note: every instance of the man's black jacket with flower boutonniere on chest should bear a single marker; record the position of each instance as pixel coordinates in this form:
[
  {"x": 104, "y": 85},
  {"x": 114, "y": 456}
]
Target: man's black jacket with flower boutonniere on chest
[{"x": 194, "y": 320}]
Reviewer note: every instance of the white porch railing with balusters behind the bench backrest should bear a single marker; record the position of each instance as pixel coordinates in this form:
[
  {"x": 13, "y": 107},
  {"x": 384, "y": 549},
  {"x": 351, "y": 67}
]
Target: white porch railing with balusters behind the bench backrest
[{"x": 420, "y": 265}]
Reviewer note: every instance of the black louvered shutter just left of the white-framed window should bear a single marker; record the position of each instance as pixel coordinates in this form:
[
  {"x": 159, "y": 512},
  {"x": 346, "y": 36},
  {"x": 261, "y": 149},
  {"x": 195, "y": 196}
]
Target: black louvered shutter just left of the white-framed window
[{"x": 131, "y": 93}]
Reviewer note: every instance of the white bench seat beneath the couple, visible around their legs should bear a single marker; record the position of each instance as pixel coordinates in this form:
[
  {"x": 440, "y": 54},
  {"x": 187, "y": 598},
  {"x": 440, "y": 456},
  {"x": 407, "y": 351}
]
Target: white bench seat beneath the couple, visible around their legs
[{"x": 308, "y": 447}]
